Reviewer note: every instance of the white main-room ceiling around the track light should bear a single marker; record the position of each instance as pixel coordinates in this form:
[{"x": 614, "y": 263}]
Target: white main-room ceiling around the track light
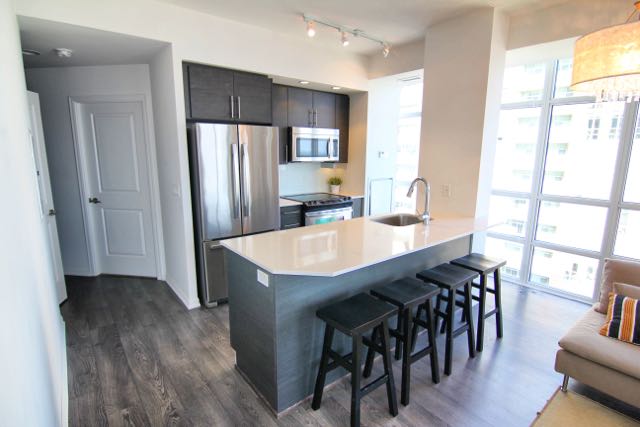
[{"x": 395, "y": 21}]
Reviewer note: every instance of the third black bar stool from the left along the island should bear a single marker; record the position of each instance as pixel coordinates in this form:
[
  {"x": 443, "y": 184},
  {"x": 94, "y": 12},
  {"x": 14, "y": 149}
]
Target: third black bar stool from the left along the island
[{"x": 450, "y": 278}]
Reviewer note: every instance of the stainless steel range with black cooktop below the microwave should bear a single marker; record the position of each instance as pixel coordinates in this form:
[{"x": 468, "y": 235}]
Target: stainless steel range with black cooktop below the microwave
[{"x": 321, "y": 208}]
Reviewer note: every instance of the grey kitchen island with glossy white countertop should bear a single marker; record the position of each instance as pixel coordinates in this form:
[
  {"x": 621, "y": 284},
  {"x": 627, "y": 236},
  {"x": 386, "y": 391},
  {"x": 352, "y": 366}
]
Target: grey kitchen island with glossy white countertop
[{"x": 278, "y": 280}]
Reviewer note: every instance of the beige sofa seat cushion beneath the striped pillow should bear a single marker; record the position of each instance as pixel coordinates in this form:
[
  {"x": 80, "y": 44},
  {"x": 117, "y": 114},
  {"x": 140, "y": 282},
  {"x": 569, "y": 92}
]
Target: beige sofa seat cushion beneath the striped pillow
[{"x": 584, "y": 340}]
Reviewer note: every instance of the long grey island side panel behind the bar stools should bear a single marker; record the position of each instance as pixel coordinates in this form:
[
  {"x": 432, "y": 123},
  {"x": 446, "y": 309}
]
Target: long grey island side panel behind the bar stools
[{"x": 299, "y": 333}]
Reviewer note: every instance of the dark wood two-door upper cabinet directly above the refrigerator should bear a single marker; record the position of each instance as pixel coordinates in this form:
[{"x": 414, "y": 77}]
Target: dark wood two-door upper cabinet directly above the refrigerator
[{"x": 218, "y": 94}]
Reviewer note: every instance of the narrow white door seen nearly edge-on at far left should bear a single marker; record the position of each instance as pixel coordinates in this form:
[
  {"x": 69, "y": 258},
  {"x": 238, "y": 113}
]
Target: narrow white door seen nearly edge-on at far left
[{"x": 48, "y": 210}]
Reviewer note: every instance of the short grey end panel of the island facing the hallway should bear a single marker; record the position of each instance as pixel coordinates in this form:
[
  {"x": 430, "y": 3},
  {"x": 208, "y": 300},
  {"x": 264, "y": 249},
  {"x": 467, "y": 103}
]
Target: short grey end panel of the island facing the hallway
[{"x": 252, "y": 325}]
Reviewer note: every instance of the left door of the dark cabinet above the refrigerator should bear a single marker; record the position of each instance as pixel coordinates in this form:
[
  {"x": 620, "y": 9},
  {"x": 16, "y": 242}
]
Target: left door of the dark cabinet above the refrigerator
[{"x": 210, "y": 92}]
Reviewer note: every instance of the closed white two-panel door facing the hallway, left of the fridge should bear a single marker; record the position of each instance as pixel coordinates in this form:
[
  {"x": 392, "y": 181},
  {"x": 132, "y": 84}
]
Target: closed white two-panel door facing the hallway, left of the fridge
[{"x": 112, "y": 151}]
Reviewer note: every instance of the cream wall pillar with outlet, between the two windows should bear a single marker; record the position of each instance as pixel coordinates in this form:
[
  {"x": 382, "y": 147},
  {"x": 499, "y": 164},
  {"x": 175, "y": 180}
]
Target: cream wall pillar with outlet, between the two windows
[{"x": 459, "y": 56}]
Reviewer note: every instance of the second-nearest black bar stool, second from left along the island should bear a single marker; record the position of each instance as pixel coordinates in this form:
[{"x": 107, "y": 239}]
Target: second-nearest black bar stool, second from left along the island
[{"x": 406, "y": 294}]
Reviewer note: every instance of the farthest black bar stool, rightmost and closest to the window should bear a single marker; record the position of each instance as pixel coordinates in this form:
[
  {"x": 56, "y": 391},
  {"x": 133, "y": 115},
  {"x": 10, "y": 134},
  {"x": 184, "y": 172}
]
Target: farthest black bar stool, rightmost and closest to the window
[{"x": 485, "y": 266}]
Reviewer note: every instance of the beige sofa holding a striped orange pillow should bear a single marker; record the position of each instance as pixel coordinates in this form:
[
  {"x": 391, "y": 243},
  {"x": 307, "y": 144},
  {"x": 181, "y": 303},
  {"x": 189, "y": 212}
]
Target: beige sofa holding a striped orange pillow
[{"x": 603, "y": 363}]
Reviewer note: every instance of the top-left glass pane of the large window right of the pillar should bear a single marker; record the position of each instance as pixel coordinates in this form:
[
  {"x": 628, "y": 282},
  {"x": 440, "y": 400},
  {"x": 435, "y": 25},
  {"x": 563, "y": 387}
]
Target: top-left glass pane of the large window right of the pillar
[{"x": 523, "y": 83}]
